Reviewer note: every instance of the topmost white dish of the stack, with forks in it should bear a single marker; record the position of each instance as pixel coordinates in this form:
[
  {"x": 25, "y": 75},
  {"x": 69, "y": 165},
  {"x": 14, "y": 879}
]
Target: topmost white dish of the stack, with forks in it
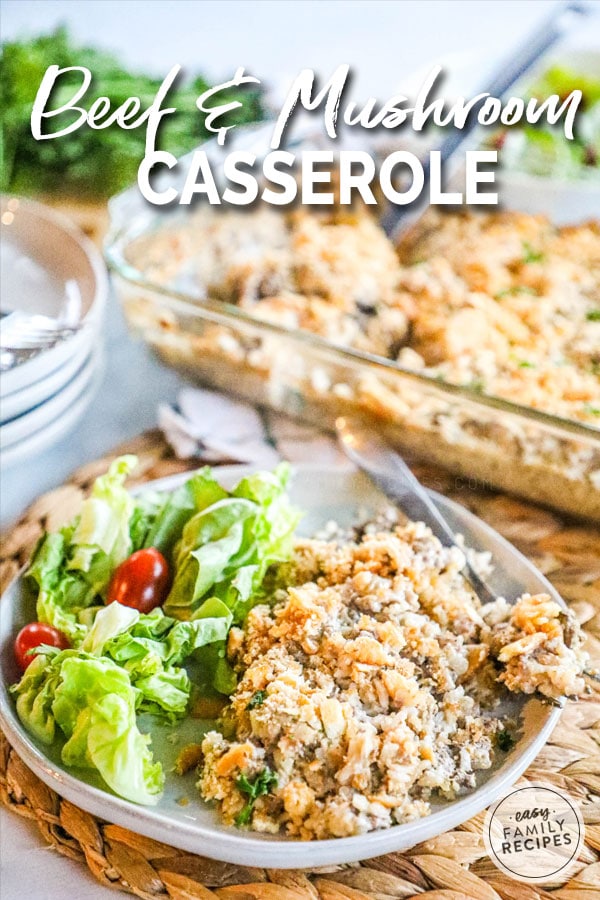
[{"x": 48, "y": 266}]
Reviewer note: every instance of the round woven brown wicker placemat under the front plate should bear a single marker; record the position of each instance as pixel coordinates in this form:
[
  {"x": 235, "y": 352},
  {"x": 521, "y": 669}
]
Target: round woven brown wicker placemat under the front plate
[{"x": 452, "y": 866}]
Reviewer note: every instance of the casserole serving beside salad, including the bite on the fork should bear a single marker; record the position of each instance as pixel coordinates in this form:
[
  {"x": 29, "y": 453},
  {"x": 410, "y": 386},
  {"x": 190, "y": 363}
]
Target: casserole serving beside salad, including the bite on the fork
[{"x": 367, "y": 687}]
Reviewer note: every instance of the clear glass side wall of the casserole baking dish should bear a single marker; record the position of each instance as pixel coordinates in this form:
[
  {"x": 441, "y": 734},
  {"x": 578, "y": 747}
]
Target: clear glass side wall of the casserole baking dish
[{"x": 498, "y": 443}]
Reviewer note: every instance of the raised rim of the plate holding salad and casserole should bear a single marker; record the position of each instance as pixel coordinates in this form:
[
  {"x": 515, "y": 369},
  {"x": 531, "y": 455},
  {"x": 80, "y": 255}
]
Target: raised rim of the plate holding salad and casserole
[{"x": 230, "y": 847}]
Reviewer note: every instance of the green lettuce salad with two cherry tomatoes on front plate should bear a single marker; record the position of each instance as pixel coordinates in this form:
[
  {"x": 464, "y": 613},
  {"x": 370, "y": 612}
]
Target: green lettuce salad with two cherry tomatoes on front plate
[{"x": 126, "y": 595}]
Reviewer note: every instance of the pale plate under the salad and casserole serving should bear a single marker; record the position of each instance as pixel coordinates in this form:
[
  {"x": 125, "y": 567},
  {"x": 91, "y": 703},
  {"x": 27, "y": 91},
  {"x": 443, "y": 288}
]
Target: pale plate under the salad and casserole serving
[{"x": 325, "y": 493}]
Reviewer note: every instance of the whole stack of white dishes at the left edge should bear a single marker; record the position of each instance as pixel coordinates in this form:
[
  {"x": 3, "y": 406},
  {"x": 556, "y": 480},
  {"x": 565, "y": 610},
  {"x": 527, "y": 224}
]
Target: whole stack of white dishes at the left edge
[{"x": 49, "y": 269}]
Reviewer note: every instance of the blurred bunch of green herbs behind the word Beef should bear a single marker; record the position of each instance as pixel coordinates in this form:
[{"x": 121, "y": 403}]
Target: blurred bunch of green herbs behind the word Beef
[{"x": 92, "y": 162}]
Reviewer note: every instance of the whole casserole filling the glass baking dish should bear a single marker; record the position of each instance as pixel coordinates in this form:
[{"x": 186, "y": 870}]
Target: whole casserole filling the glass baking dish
[{"x": 503, "y": 305}]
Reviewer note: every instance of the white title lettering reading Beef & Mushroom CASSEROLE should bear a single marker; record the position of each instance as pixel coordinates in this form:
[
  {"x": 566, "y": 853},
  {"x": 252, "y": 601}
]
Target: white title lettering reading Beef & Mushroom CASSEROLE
[{"x": 281, "y": 177}]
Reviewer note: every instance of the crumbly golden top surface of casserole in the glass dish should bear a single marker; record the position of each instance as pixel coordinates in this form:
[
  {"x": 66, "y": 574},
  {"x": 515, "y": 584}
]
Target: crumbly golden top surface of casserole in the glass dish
[{"x": 503, "y": 302}]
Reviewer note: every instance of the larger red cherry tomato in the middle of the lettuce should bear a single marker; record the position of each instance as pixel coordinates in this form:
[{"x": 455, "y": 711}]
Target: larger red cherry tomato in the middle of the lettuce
[{"x": 141, "y": 581}]
